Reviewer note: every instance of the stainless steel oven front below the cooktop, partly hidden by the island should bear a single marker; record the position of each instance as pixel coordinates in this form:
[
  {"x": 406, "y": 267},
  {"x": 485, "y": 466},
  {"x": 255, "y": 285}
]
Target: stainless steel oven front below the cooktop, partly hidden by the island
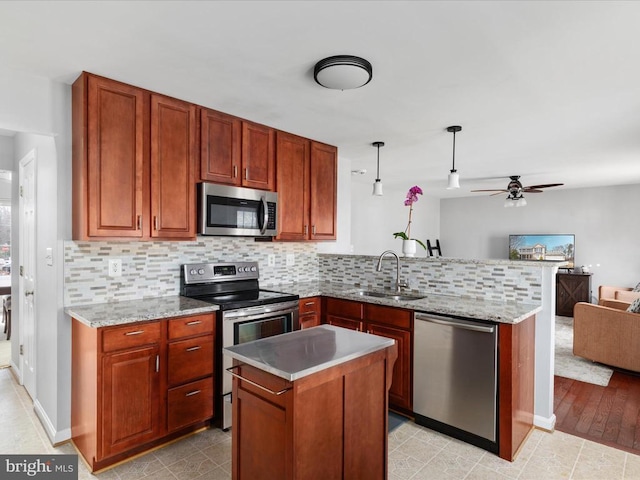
[{"x": 248, "y": 324}]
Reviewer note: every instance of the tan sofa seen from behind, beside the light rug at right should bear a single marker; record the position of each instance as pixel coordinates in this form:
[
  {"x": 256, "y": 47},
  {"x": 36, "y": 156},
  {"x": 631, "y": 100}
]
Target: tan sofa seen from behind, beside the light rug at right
[{"x": 607, "y": 333}]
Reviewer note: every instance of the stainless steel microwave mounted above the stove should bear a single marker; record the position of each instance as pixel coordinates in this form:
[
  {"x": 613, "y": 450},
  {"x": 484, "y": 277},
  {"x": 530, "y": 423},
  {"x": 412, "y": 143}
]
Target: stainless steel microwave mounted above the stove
[{"x": 236, "y": 211}]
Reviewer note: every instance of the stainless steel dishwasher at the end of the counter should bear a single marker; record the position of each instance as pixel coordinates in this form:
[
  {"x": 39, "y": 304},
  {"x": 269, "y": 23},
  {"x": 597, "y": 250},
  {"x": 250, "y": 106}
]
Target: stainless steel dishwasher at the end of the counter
[{"x": 455, "y": 378}]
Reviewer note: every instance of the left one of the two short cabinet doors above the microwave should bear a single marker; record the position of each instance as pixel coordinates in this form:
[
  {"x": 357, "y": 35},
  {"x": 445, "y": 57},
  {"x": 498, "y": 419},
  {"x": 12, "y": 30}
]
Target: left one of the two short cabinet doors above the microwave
[{"x": 220, "y": 152}]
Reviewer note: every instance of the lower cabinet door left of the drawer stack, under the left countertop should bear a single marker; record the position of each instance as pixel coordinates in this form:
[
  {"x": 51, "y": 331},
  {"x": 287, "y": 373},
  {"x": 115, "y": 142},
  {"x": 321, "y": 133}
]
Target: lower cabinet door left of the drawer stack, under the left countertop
[{"x": 130, "y": 399}]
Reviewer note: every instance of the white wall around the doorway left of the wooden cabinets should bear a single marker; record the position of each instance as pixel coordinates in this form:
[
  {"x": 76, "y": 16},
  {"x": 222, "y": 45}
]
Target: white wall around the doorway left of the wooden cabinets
[{"x": 32, "y": 104}]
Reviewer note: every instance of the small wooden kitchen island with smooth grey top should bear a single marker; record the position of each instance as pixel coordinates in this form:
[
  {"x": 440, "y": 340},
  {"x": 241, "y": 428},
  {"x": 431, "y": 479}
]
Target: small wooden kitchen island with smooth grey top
[{"x": 311, "y": 404}]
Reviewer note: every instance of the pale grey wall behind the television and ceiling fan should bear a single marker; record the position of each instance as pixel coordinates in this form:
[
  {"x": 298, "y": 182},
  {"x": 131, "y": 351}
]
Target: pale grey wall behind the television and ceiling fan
[{"x": 603, "y": 220}]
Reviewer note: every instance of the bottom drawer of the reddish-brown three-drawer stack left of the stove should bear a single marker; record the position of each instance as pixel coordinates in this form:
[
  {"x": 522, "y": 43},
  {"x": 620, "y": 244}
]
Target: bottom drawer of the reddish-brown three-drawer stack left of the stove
[{"x": 191, "y": 403}]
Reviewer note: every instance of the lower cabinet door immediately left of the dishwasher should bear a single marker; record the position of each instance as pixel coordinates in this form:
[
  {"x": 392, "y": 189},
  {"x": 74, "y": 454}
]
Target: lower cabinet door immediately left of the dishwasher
[{"x": 400, "y": 393}]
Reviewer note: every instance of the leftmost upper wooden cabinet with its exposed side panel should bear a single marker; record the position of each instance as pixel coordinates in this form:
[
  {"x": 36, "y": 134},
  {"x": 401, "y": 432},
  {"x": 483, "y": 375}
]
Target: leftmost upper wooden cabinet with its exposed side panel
[{"x": 108, "y": 120}]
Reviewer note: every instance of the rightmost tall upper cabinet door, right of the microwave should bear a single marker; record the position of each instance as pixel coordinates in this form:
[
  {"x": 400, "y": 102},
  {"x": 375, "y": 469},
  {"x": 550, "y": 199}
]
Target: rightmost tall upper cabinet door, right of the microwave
[{"x": 323, "y": 178}]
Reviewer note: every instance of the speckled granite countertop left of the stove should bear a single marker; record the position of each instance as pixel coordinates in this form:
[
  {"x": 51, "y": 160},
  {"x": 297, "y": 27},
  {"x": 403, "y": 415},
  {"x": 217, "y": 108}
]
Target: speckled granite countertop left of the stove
[{"x": 118, "y": 313}]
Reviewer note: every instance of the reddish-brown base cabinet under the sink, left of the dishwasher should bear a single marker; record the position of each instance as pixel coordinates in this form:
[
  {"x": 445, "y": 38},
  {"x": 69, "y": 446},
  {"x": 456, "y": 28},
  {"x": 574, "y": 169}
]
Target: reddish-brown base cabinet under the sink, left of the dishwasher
[{"x": 390, "y": 322}]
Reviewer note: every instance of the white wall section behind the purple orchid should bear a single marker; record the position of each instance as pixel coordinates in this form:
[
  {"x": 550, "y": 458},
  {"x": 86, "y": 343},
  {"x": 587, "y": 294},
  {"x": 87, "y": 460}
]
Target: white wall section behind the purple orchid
[{"x": 375, "y": 219}]
